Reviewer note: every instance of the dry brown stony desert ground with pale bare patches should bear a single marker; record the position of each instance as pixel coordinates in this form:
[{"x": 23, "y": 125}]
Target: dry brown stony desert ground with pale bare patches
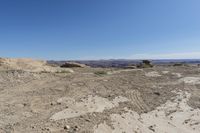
[{"x": 162, "y": 99}]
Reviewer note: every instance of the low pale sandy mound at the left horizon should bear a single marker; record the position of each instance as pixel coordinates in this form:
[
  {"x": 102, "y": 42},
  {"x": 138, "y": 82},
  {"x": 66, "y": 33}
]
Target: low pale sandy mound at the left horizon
[{"x": 29, "y": 65}]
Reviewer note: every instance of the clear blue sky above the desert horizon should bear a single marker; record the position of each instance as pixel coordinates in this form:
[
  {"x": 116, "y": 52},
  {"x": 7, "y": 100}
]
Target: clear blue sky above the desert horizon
[{"x": 100, "y": 29}]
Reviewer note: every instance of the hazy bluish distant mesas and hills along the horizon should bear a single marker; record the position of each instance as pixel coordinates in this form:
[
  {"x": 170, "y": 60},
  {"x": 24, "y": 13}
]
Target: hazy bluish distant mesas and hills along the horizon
[{"x": 119, "y": 63}]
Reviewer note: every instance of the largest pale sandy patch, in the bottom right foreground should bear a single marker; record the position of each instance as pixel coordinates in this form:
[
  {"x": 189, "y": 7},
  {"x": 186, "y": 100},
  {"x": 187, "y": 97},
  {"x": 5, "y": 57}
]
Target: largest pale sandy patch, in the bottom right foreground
[{"x": 171, "y": 117}]
